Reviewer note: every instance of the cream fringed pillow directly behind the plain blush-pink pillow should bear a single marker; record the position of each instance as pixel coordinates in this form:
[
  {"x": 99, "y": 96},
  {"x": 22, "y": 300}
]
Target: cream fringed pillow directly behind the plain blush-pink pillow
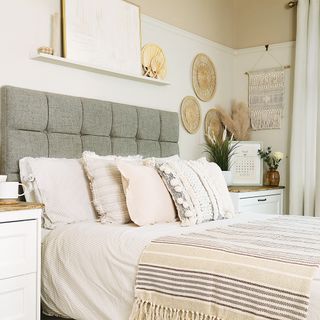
[{"x": 106, "y": 186}]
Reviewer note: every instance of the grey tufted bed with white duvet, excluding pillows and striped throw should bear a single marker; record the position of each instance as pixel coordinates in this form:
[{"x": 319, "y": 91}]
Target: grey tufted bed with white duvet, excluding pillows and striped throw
[{"x": 94, "y": 276}]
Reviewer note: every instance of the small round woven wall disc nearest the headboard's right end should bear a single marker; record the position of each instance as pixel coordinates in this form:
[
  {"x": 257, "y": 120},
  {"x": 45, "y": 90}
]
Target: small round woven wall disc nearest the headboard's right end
[{"x": 190, "y": 114}]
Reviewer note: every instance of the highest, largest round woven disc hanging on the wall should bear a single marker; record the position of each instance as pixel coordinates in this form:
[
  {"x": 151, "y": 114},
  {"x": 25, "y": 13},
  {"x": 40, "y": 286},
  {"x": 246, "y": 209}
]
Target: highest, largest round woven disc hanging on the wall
[{"x": 203, "y": 77}]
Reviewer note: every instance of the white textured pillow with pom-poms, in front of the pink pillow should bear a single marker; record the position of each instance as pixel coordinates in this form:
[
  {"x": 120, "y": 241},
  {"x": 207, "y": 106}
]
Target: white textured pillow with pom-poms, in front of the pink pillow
[{"x": 198, "y": 189}]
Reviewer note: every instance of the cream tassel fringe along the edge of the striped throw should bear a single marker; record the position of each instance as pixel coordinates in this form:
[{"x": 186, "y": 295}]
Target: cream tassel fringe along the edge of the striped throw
[{"x": 145, "y": 310}]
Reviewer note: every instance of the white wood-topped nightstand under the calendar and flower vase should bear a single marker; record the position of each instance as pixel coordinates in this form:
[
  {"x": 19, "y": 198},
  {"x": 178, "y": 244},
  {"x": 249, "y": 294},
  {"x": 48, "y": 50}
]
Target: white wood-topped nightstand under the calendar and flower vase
[{"x": 264, "y": 199}]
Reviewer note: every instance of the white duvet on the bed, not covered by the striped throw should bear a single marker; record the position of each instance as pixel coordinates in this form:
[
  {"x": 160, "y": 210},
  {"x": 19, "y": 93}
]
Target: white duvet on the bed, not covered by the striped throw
[{"x": 88, "y": 268}]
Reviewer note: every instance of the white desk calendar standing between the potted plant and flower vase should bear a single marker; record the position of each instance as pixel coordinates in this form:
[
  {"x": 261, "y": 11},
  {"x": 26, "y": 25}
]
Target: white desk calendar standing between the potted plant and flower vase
[{"x": 246, "y": 164}]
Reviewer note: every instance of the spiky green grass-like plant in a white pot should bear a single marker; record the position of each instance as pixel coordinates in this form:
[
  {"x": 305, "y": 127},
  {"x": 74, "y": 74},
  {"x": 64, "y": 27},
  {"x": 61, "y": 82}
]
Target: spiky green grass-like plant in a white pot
[{"x": 220, "y": 151}]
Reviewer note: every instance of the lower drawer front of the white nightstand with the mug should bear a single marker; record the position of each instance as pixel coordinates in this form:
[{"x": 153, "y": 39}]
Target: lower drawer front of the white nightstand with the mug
[{"x": 18, "y": 298}]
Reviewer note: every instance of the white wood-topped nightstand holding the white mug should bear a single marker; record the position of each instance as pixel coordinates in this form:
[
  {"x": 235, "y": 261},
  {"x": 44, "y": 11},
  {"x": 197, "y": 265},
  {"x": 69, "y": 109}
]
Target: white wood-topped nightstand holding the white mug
[{"x": 20, "y": 250}]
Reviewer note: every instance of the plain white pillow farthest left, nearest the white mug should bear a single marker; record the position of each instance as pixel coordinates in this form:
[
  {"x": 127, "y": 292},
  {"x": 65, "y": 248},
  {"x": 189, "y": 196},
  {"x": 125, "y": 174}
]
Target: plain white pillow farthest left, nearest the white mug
[{"x": 61, "y": 185}]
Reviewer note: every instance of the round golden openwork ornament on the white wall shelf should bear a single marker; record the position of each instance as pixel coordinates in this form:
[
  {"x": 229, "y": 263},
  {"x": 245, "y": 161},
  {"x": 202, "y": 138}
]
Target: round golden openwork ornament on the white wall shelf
[{"x": 153, "y": 61}]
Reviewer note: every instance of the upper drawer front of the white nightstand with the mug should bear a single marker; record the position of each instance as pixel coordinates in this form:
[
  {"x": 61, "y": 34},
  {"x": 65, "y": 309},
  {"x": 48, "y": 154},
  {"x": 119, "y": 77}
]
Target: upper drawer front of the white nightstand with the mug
[{"x": 18, "y": 248}]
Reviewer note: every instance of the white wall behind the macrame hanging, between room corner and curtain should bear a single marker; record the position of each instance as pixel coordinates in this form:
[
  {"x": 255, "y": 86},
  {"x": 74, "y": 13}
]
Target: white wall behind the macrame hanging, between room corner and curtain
[{"x": 278, "y": 139}]
